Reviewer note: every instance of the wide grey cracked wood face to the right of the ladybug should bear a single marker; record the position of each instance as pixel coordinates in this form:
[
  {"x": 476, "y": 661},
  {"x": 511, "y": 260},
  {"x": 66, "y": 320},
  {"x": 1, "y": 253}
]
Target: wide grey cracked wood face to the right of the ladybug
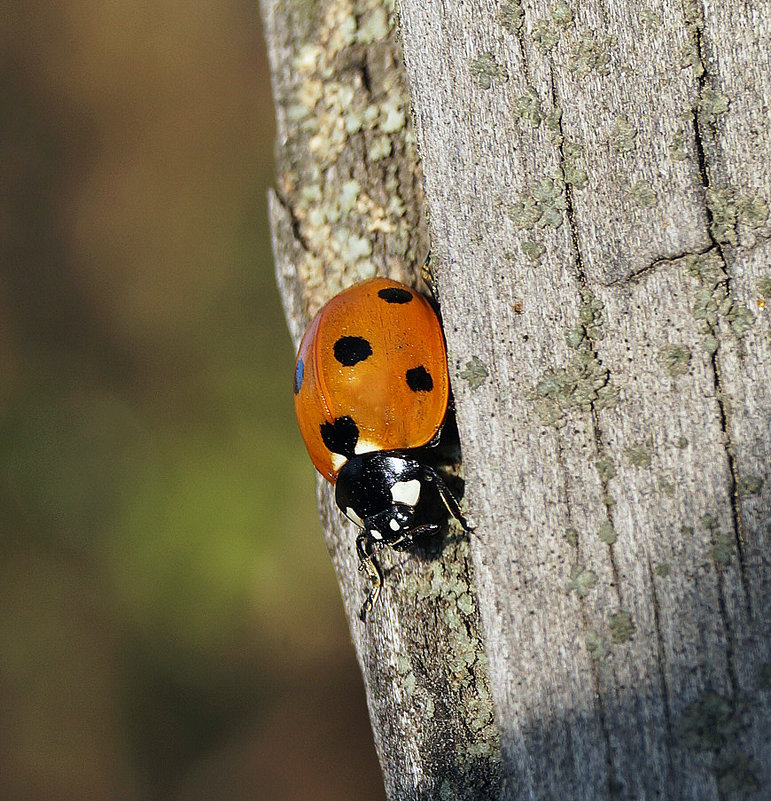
[{"x": 587, "y": 259}]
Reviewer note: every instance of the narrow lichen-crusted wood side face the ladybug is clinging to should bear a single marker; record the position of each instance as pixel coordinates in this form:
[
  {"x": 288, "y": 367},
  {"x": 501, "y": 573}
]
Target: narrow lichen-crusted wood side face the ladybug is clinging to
[{"x": 348, "y": 204}]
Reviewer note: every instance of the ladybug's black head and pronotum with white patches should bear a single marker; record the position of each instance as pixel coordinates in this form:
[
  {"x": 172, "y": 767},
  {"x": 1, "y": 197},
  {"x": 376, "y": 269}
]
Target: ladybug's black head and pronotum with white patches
[{"x": 381, "y": 493}]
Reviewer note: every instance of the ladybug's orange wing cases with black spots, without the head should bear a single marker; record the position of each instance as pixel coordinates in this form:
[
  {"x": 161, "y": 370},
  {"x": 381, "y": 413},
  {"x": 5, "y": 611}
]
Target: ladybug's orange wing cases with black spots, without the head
[{"x": 374, "y": 354}]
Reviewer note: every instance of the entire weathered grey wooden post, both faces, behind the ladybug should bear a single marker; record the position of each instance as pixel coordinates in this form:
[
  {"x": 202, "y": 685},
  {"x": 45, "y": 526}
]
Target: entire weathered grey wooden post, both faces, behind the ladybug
[{"x": 599, "y": 178}]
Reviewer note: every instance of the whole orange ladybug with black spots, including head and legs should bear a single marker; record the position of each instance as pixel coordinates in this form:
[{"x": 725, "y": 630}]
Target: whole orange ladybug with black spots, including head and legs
[{"x": 371, "y": 392}]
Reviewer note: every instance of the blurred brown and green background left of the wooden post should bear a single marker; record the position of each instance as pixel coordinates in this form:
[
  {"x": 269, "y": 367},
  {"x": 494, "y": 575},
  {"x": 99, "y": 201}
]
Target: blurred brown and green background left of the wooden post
[{"x": 169, "y": 623}]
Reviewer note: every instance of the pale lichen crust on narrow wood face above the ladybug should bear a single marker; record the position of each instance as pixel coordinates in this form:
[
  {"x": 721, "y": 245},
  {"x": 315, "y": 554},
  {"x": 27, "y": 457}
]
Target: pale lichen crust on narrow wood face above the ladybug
[{"x": 325, "y": 110}]
